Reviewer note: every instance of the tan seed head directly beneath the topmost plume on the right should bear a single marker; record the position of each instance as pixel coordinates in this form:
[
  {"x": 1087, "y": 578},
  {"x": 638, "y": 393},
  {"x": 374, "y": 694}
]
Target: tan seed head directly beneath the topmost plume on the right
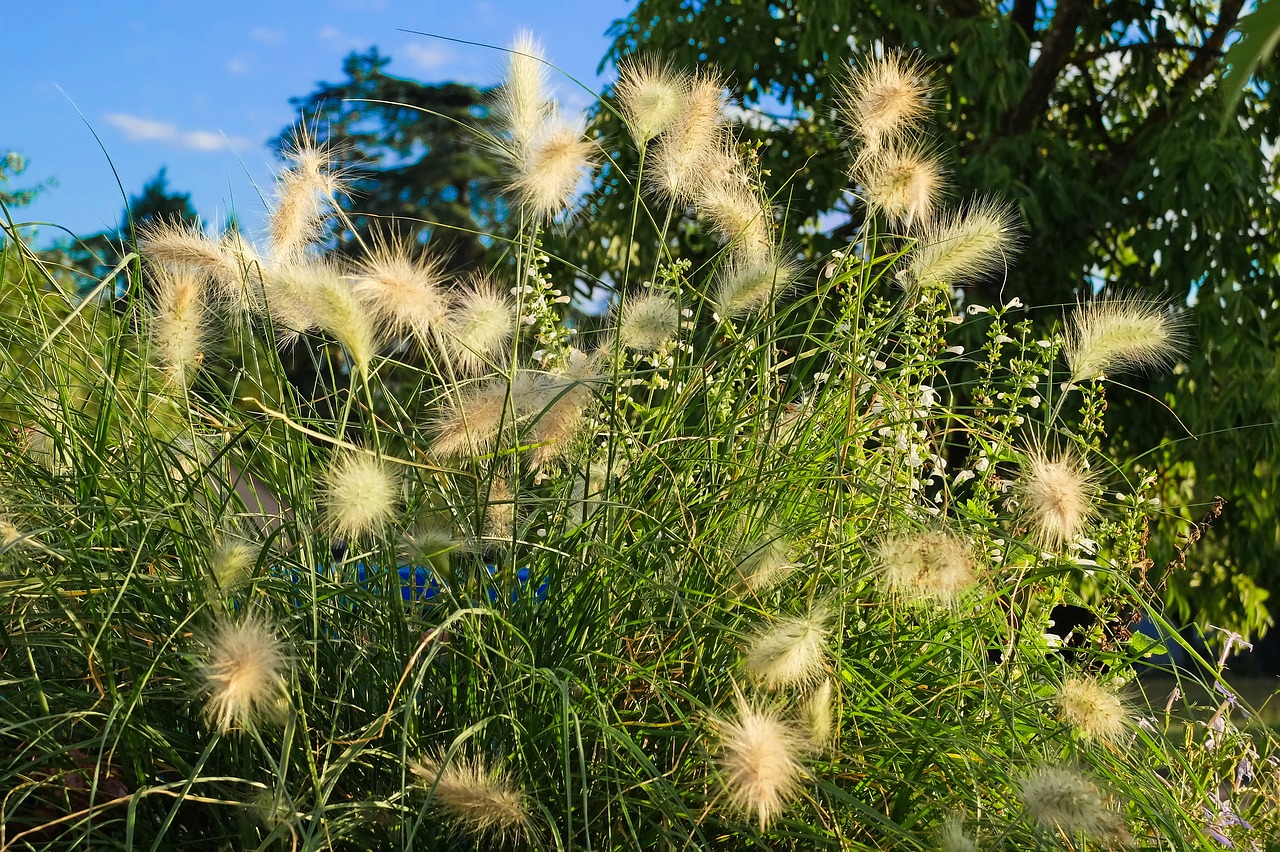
[{"x": 903, "y": 184}]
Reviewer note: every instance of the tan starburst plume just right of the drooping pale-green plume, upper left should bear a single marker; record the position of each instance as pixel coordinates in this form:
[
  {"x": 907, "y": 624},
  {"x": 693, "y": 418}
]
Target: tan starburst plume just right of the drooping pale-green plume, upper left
[{"x": 405, "y": 296}]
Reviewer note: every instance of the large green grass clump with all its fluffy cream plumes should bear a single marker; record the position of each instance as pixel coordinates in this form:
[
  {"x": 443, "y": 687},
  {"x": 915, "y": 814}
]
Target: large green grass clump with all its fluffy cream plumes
[{"x": 766, "y": 561}]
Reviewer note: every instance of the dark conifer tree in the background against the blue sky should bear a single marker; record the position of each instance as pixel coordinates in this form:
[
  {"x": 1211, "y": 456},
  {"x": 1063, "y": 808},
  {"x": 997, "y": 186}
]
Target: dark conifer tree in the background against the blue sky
[{"x": 414, "y": 157}]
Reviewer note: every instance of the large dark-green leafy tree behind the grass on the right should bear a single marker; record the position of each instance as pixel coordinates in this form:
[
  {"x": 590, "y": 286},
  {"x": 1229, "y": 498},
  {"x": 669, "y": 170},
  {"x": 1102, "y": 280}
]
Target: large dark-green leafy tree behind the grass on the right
[{"x": 1101, "y": 122}]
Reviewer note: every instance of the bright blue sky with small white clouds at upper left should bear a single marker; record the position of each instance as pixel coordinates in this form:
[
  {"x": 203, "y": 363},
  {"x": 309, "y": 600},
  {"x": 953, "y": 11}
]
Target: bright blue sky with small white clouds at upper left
[{"x": 200, "y": 88}]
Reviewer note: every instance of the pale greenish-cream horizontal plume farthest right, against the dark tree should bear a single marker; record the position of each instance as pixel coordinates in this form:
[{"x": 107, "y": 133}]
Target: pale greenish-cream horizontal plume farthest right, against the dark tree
[{"x": 1118, "y": 335}]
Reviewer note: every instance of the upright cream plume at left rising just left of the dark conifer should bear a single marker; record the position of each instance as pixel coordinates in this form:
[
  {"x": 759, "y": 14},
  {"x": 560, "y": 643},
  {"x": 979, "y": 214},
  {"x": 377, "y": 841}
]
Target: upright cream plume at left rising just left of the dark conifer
[{"x": 305, "y": 195}]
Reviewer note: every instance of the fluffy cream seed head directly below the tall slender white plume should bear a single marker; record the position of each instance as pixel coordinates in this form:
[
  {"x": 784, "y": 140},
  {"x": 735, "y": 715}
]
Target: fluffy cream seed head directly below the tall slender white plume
[{"x": 554, "y": 166}]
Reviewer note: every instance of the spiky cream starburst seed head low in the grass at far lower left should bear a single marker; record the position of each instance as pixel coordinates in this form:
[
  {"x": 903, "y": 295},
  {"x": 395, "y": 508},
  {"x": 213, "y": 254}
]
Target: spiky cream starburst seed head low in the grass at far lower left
[{"x": 244, "y": 675}]
